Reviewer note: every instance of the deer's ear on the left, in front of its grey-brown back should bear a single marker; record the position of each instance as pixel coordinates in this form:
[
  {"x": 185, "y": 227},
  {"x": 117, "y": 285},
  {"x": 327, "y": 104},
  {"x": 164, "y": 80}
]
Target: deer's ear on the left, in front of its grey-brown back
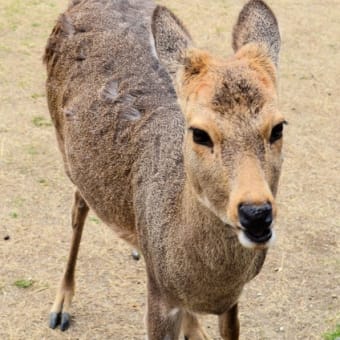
[{"x": 171, "y": 39}]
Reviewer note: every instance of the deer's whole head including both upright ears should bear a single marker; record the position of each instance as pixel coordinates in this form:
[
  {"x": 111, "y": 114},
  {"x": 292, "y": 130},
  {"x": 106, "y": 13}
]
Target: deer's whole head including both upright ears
[{"x": 233, "y": 137}]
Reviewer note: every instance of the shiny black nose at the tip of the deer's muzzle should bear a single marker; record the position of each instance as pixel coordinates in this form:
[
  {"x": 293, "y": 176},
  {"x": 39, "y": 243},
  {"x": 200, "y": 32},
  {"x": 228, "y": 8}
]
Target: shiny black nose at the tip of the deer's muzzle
[{"x": 256, "y": 218}]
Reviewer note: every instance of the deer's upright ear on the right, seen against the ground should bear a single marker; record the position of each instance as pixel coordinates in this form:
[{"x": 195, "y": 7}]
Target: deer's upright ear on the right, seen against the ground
[{"x": 257, "y": 24}]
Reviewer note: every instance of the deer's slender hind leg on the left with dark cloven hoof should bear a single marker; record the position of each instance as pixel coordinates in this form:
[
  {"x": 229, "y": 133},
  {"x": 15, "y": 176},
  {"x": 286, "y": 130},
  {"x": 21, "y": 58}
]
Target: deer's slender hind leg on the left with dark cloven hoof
[{"x": 60, "y": 313}]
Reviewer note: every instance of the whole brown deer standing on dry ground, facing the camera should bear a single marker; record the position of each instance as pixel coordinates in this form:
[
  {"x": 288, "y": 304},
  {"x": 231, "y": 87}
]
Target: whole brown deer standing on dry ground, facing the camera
[{"x": 176, "y": 150}]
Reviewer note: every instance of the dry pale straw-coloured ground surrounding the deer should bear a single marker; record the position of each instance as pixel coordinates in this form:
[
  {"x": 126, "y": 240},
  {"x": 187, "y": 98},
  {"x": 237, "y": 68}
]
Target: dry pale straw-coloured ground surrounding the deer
[{"x": 297, "y": 294}]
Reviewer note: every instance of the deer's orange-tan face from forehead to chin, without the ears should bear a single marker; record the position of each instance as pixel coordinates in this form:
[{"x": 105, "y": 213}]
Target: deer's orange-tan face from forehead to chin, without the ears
[{"x": 233, "y": 141}]
